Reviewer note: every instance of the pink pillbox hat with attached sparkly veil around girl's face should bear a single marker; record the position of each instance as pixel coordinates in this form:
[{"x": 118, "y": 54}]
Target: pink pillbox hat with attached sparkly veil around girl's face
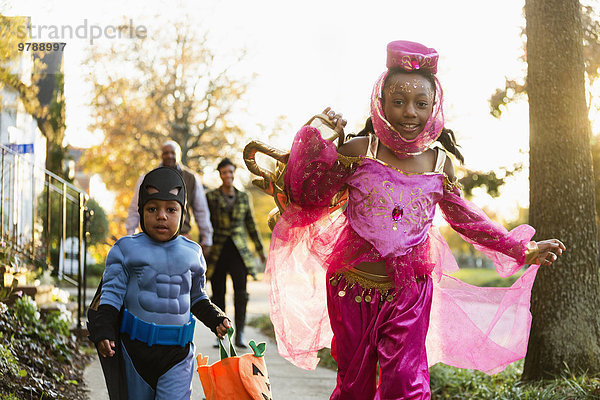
[{"x": 411, "y": 57}]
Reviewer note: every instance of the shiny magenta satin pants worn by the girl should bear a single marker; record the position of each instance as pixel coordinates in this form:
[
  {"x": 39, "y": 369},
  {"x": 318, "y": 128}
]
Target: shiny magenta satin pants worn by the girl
[{"x": 389, "y": 332}]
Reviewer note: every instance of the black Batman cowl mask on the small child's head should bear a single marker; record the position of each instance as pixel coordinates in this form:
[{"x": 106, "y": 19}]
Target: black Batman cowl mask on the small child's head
[{"x": 169, "y": 185}]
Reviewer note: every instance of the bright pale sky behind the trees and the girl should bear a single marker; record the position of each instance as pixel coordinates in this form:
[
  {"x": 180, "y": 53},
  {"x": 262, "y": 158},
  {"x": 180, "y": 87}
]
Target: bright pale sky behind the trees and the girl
[{"x": 312, "y": 54}]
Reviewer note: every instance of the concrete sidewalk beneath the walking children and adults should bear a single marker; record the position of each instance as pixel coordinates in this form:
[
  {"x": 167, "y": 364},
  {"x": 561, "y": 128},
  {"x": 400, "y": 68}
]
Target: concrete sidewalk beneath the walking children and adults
[{"x": 287, "y": 381}]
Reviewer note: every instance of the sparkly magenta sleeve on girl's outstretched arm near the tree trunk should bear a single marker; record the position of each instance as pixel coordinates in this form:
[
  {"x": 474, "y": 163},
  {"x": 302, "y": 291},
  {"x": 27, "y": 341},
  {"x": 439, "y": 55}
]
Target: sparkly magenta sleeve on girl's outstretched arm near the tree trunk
[{"x": 506, "y": 249}]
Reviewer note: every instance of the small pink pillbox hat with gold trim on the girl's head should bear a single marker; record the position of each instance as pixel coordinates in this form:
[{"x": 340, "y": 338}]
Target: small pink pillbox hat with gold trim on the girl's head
[{"x": 411, "y": 56}]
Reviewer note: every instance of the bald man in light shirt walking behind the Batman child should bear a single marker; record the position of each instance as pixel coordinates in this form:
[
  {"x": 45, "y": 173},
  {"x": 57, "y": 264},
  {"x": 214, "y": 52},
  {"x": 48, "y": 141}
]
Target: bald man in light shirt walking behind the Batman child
[{"x": 196, "y": 199}]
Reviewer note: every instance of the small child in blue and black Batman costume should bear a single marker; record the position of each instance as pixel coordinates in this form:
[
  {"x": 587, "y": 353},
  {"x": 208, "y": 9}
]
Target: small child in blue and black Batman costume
[{"x": 141, "y": 317}]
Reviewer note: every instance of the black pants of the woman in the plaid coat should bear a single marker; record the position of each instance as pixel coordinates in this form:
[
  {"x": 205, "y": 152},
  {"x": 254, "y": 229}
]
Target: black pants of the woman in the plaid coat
[{"x": 230, "y": 262}]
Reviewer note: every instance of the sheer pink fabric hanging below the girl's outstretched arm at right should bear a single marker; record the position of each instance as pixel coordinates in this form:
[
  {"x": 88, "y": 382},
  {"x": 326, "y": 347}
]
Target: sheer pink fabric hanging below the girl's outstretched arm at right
[{"x": 474, "y": 327}]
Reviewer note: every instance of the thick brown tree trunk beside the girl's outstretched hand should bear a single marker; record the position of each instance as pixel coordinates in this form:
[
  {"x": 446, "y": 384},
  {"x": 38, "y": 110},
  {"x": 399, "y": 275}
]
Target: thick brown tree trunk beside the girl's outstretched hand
[{"x": 566, "y": 297}]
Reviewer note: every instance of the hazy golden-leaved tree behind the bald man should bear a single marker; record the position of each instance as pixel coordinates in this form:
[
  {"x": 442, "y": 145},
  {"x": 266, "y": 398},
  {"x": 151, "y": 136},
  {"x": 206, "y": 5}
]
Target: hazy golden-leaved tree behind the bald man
[{"x": 169, "y": 85}]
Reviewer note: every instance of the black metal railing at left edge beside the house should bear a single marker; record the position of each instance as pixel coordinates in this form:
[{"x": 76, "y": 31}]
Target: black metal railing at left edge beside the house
[{"x": 44, "y": 222}]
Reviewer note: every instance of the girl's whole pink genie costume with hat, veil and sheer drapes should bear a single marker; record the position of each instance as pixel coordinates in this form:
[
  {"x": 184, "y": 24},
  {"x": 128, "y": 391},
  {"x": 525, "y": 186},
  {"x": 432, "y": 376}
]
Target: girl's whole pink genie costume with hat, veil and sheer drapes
[{"x": 418, "y": 315}]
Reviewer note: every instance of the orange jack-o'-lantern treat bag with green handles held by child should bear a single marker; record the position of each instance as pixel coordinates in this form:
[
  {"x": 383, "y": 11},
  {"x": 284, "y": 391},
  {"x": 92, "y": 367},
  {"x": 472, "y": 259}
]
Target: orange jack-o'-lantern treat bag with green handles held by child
[{"x": 236, "y": 377}]
